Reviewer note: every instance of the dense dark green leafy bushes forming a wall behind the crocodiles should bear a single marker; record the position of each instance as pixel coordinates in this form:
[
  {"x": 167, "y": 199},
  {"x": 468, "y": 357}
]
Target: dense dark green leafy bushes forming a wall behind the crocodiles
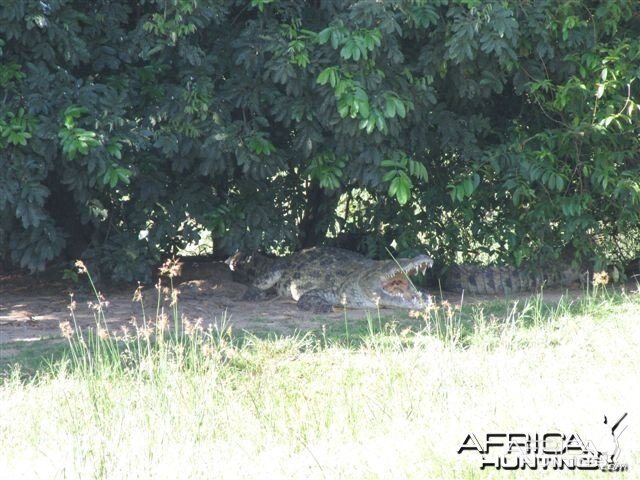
[{"x": 497, "y": 129}]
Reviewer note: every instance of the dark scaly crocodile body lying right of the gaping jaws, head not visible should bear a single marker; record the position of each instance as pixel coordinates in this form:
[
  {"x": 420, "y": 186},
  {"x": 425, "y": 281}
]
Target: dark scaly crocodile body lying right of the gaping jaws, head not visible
[{"x": 501, "y": 279}]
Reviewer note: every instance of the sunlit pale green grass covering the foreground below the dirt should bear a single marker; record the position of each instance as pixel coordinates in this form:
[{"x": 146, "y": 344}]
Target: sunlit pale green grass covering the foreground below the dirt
[{"x": 385, "y": 400}]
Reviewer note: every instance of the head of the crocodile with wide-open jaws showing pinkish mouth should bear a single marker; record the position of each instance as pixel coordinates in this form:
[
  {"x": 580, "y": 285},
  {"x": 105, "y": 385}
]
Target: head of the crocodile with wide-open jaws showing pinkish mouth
[{"x": 389, "y": 284}]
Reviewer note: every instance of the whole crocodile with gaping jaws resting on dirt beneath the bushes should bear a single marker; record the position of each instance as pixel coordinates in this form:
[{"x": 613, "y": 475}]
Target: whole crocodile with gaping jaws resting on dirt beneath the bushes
[{"x": 320, "y": 278}]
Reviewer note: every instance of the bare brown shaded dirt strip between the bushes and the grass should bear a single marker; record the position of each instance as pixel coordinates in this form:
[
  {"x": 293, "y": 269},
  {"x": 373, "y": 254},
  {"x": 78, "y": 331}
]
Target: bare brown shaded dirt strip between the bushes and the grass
[{"x": 32, "y": 309}]
